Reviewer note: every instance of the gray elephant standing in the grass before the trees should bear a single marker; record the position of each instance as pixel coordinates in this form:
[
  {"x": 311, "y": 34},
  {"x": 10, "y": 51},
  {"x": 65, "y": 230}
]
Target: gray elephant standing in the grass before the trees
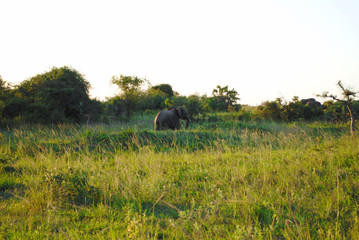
[{"x": 170, "y": 118}]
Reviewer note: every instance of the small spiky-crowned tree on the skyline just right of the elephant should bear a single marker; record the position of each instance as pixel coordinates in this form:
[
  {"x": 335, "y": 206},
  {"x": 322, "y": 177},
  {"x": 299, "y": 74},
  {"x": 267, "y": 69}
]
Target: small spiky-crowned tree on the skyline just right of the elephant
[{"x": 224, "y": 99}]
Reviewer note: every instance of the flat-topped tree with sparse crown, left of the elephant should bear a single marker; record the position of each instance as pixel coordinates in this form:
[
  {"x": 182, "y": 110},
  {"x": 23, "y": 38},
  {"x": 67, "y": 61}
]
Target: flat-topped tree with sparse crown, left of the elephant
[{"x": 131, "y": 91}]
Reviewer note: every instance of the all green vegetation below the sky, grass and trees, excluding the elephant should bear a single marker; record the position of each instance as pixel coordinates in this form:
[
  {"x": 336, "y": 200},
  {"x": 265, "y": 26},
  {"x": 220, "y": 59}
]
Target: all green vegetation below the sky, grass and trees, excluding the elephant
[{"x": 74, "y": 167}]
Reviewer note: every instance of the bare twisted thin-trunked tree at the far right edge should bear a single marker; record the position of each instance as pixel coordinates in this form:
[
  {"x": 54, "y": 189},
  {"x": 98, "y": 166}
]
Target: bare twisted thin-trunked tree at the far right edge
[{"x": 348, "y": 96}]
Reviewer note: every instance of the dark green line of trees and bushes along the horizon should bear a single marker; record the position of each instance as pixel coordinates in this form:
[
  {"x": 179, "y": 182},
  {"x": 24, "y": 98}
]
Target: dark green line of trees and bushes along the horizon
[{"x": 61, "y": 95}]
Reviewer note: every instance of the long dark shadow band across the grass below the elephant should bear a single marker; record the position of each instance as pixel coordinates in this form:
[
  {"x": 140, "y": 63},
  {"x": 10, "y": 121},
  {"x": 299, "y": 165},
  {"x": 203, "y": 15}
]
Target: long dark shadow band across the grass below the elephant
[{"x": 210, "y": 135}]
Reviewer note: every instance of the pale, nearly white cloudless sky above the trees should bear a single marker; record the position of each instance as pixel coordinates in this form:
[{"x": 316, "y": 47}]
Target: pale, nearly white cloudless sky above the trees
[{"x": 264, "y": 49}]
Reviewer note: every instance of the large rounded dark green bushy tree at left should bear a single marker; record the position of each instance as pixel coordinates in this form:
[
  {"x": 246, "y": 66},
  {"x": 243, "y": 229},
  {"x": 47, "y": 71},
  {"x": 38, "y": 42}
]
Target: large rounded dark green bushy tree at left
[{"x": 55, "y": 96}]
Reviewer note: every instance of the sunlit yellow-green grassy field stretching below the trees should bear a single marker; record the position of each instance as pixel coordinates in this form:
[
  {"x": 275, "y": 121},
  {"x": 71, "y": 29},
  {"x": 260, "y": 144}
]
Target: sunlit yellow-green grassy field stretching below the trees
[{"x": 223, "y": 179}]
